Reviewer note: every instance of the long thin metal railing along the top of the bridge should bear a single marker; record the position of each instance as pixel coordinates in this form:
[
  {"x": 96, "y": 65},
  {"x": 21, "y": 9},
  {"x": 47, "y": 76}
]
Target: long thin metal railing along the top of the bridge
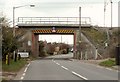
[{"x": 53, "y": 20}]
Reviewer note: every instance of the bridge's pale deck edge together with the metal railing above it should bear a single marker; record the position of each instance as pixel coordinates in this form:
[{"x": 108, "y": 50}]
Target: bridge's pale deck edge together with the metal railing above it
[{"x": 53, "y": 21}]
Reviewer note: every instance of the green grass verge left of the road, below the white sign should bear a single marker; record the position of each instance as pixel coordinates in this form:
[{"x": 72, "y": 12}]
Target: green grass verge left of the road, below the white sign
[{"x": 14, "y": 66}]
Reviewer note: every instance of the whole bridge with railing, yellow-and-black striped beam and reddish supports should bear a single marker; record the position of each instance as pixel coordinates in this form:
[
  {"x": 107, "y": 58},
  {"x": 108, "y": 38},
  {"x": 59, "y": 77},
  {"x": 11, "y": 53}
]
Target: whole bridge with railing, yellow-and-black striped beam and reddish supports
[{"x": 45, "y": 25}]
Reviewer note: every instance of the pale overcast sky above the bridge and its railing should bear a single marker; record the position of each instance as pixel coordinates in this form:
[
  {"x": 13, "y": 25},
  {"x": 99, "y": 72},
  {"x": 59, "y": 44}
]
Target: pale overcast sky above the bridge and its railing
[{"x": 62, "y": 8}]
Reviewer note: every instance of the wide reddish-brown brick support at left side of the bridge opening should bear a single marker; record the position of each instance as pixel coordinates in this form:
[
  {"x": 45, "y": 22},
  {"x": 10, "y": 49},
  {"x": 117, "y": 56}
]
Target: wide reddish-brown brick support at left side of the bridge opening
[{"x": 35, "y": 45}]
